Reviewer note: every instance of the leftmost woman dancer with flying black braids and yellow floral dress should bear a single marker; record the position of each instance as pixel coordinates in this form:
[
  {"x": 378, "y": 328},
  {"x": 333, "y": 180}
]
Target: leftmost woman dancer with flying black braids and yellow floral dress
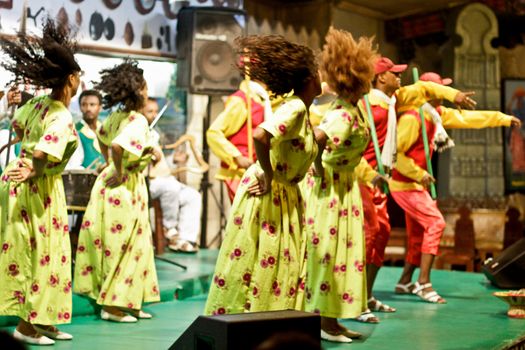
[{"x": 35, "y": 263}]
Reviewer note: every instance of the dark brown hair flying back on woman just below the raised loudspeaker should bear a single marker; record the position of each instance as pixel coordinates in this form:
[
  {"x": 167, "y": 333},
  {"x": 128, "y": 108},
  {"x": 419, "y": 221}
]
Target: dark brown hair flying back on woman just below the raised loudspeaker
[{"x": 281, "y": 65}]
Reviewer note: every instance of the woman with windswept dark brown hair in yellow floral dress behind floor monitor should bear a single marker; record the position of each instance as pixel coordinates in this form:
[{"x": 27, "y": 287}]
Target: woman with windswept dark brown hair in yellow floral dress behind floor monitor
[{"x": 262, "y": 257}]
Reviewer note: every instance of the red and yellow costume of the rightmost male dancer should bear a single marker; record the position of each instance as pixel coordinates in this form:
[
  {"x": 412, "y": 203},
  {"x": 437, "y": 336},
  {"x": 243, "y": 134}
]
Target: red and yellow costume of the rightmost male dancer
[{"x": 425, "y": 224}]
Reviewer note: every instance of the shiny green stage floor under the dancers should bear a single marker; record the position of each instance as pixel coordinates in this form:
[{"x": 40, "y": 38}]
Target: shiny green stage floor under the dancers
[{"x": 472, "y": 319}]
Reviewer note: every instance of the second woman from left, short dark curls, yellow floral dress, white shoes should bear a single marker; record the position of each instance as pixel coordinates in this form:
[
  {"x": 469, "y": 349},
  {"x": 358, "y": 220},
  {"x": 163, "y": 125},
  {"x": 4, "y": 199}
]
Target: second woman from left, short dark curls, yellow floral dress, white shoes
[{"x": 115, "y": 261}]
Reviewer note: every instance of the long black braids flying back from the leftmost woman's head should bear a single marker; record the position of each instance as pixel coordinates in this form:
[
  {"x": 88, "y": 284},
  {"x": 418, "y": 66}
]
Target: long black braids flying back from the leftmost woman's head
[{"x": 45, "y": 62}]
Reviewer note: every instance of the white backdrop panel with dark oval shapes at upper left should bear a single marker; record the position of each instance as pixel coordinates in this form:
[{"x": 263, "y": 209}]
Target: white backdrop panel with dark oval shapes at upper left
[{"x": 120, "y": 27}]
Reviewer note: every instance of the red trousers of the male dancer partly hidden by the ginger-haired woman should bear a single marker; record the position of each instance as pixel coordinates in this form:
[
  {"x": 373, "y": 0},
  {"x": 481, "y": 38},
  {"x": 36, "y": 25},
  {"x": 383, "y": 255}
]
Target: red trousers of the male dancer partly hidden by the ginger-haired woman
[{"x": 377, "y": 224}]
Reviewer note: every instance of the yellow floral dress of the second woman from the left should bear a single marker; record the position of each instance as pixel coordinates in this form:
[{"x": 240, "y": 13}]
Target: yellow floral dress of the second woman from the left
[{"x": 115, "y": 261}]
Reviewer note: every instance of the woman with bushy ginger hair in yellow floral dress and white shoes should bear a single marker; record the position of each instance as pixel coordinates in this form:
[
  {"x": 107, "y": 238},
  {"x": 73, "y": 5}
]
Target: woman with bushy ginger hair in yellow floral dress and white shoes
[{"x": 336, "y": 283}]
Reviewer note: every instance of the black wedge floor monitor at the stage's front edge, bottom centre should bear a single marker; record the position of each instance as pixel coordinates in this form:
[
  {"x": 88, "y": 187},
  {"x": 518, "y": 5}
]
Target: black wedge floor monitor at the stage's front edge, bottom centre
[{"x": 245, "y": 331}]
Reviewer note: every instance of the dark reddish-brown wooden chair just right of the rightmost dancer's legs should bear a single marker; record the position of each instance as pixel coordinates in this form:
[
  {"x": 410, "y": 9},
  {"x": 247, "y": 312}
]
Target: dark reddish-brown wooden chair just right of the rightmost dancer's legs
[{"x": 464, "y": 252}]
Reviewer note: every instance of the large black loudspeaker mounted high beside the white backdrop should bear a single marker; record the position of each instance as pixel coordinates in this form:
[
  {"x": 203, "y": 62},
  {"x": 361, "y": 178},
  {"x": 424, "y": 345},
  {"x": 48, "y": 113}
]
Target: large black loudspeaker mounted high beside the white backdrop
[{"x": 206, "y": 57}]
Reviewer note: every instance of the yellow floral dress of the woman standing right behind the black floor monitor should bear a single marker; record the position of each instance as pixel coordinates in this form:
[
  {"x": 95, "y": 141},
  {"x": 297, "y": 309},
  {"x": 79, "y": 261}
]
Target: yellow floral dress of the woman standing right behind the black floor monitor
[{"x": 261, "y": 262}]
